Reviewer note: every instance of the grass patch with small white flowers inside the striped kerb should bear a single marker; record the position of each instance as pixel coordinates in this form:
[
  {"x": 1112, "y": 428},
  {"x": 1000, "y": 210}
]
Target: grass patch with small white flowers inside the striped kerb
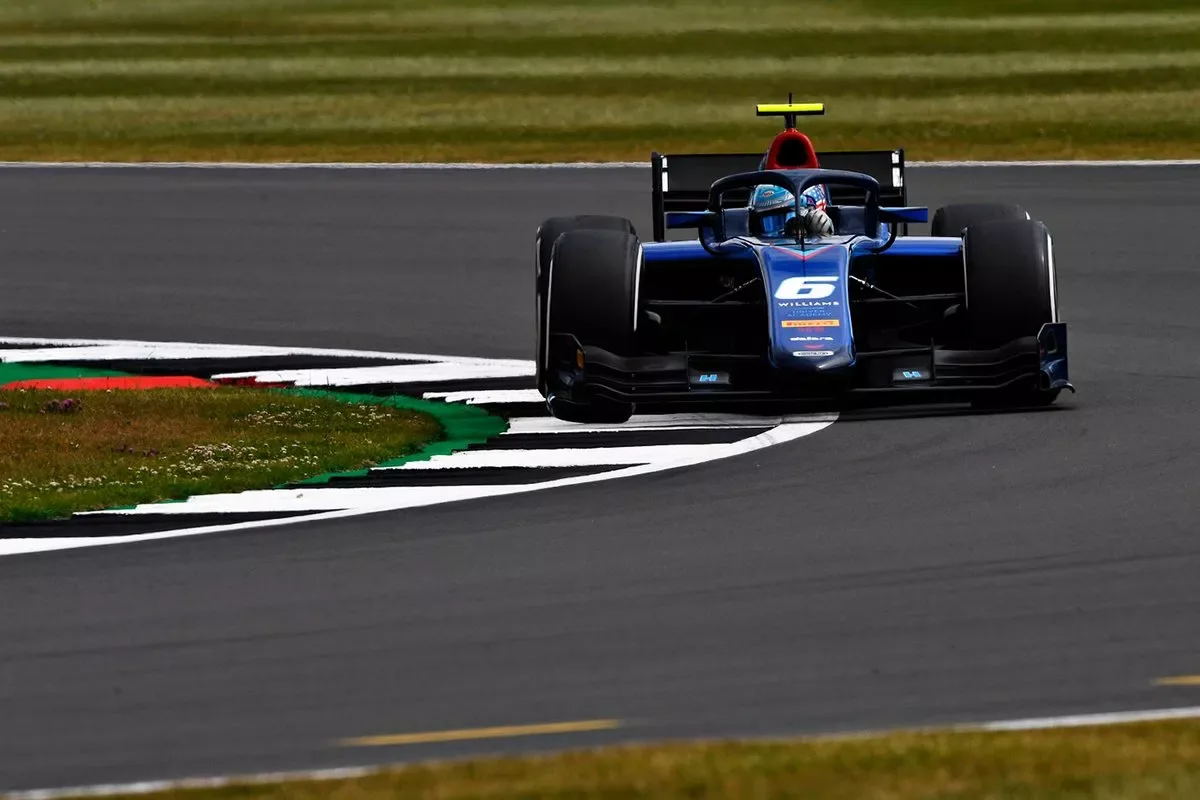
[{"x": 68, "y": 453}]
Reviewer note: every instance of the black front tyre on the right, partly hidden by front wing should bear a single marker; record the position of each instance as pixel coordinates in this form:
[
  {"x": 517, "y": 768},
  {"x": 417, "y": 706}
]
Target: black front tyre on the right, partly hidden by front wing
[{"x": 1011, "y": 292}]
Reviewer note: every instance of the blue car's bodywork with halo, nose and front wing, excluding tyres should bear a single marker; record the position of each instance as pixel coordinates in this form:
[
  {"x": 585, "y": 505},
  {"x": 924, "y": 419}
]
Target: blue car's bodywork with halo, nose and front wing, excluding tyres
[{"x": 811, "y": 351}]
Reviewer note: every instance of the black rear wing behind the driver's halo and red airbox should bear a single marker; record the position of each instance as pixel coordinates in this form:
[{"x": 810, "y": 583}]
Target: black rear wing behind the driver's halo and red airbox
[{"x": 681, "y": 183}]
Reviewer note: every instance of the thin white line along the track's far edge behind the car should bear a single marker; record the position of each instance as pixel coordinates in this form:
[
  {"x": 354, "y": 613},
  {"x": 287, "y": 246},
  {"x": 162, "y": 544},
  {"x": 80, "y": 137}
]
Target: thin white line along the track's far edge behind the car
[{"x": 483, "y": 166}]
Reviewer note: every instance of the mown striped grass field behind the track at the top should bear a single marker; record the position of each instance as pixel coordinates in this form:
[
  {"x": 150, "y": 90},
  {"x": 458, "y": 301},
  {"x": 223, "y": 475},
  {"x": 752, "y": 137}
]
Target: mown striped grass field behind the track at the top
[{"x": 601, "y": 80}]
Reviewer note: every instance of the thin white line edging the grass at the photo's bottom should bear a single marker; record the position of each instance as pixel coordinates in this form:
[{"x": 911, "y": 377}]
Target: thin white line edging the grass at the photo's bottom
[{"x": 148, "y": 787}]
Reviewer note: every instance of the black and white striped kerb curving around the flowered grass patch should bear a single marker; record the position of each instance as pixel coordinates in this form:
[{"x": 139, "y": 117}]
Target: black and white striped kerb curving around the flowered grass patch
[{"x": 411, "y": 372}]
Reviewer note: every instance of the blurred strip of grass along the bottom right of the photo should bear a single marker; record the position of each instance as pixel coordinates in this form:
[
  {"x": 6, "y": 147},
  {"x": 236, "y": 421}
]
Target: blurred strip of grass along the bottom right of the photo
[{"x": 1144, "y": 762}]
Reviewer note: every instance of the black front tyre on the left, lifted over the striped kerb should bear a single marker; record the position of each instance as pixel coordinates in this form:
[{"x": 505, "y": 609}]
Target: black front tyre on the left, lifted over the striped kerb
[{"x": 592, "y": 296}]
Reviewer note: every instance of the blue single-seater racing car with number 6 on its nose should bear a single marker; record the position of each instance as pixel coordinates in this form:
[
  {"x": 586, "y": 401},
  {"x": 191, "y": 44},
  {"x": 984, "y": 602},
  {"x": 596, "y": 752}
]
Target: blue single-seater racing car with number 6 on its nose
[{"x": 728, "y": 318}]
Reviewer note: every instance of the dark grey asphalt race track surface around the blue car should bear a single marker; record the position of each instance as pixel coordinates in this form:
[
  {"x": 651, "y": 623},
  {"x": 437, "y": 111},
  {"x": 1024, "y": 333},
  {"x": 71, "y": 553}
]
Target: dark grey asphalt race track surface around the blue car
[{"x": 889, "y": 572}]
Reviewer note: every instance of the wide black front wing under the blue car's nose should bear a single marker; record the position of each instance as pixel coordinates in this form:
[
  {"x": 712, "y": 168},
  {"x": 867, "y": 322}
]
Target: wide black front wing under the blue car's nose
[{"x": 581, "y": 374}]
